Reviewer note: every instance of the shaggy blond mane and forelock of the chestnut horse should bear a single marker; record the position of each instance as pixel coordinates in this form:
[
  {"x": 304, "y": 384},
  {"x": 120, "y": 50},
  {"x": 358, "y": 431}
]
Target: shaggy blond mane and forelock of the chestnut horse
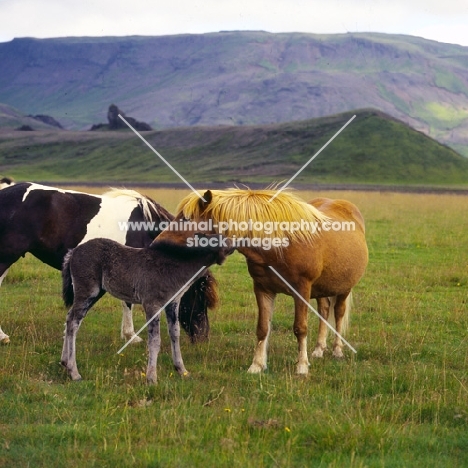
[{"x": 240, "y": 205}]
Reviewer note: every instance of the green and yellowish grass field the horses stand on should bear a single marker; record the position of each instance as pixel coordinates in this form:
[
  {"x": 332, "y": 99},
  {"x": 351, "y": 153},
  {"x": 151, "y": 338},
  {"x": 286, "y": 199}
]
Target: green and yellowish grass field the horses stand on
[{"x": 401, "y": 401}]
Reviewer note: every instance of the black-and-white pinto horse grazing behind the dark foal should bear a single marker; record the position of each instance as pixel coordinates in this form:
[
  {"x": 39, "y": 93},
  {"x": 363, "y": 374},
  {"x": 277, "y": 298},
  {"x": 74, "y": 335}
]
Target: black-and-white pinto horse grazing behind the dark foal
[{"x": 47, "y": 222}]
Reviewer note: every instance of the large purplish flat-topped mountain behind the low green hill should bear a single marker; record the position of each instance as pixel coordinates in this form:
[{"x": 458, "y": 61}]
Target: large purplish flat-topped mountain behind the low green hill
[{"x": 239, "y": 78}]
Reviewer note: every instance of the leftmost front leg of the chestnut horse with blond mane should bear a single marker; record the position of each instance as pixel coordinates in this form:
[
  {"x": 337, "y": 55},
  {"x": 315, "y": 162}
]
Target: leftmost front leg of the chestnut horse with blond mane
[{"x": 265, "y": 302}]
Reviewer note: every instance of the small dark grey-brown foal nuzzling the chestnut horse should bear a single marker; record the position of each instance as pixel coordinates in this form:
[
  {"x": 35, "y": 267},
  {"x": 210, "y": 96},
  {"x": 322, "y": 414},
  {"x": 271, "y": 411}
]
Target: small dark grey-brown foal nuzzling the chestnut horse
[{"x": 153, "y": 276}]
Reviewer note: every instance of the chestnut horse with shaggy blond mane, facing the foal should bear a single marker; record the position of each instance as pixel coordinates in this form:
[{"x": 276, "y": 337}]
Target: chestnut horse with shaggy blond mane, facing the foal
[{"x": 294, "y": 248}]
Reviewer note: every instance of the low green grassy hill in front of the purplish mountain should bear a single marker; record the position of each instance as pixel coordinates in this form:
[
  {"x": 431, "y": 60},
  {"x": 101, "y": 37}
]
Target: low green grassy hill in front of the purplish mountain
[{"x": 373, "y": 149}]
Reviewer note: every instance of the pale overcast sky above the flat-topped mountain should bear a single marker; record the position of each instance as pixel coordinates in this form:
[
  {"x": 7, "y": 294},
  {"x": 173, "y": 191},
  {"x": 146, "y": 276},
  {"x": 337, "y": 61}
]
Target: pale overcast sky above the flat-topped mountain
[{"x": 441, "y": 20}]
